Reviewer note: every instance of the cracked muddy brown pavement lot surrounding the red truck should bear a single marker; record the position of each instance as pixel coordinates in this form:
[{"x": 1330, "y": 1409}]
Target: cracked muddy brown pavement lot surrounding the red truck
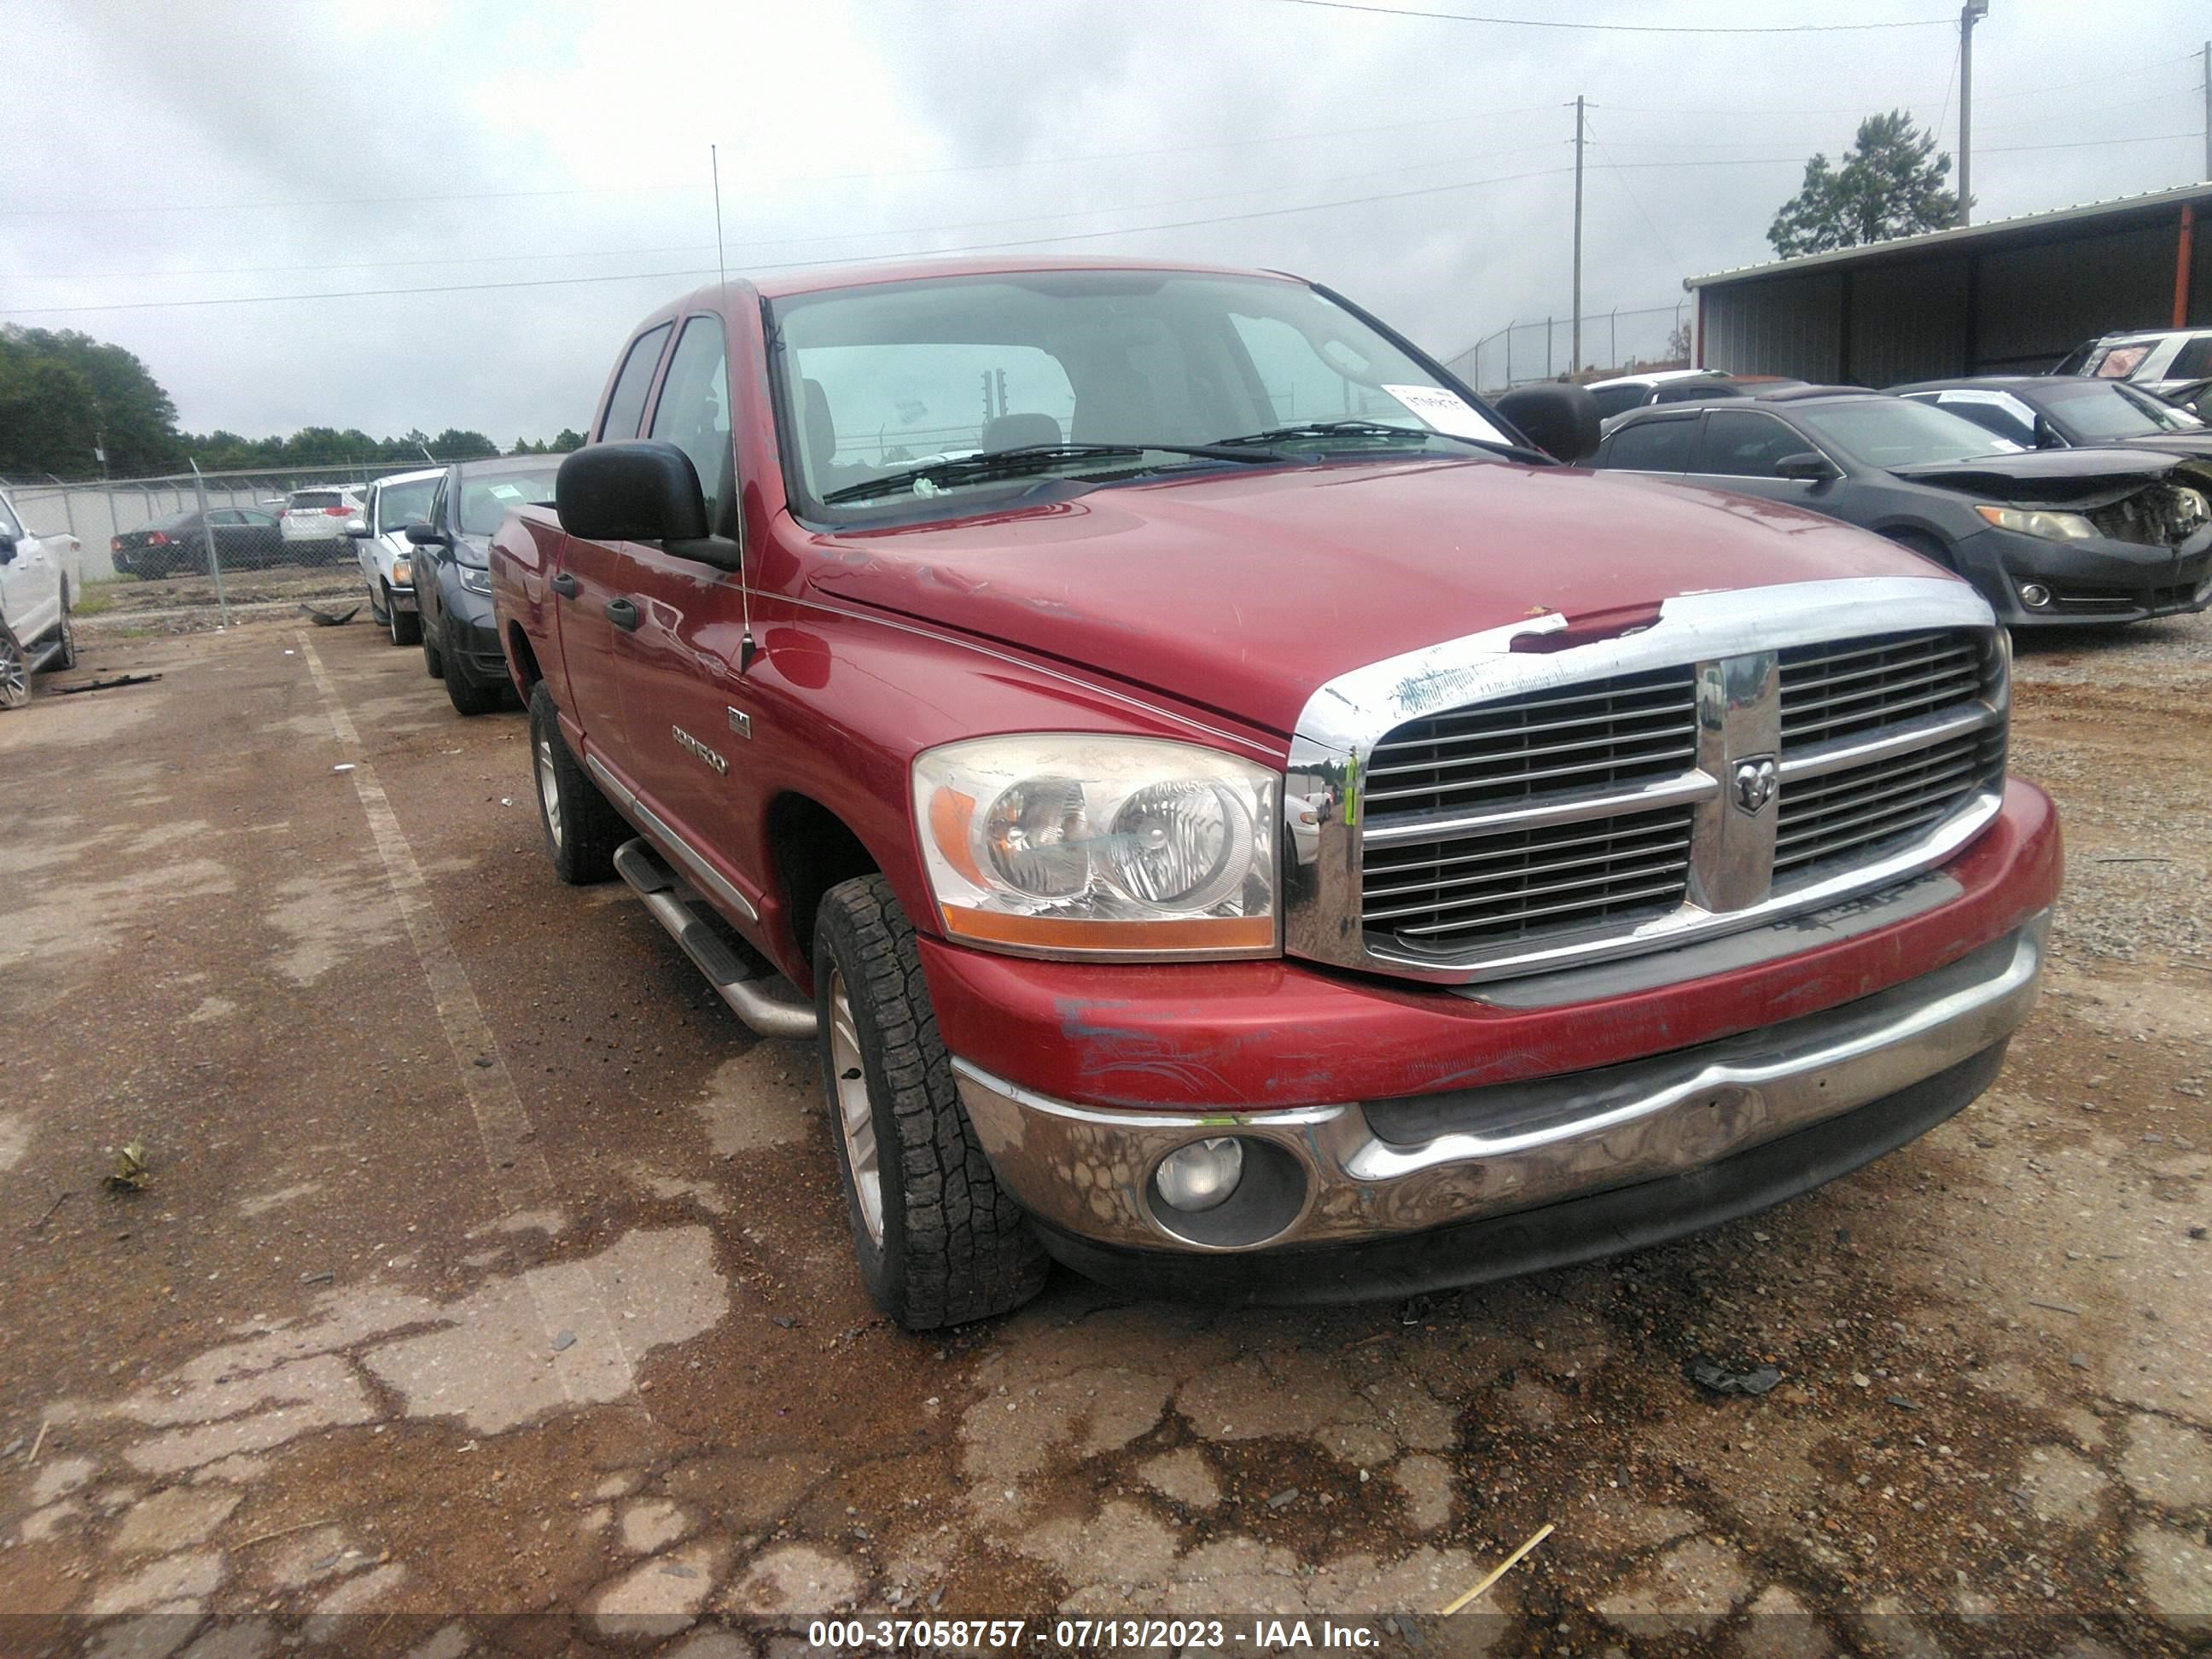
[{"x": 488, "y": 1266}]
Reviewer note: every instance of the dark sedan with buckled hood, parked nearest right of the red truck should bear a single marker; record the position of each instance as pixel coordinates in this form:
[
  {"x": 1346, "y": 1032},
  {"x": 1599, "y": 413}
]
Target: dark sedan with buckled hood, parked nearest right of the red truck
[{"x": 2047, "y": 536}]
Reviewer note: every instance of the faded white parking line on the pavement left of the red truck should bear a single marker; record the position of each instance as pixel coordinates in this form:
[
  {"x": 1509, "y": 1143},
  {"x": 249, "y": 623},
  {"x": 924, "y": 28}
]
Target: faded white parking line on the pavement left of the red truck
[{"x": 519, "y": 1169}]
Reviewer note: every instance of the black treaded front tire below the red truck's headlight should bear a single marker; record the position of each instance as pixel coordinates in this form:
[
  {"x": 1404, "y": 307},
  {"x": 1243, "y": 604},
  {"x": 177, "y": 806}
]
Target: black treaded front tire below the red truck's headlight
[{"x": 954, "y": 1242}]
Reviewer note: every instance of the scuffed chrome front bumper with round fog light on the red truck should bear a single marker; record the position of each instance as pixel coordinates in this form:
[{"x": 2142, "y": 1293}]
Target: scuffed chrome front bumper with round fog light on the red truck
[{"x": 1379, "y": 1169}]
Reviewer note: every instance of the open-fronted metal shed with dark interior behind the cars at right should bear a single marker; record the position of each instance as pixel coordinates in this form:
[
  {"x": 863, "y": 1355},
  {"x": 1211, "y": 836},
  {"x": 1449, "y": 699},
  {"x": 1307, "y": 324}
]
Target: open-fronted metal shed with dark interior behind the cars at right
[{"x": 2007, "y": 298}]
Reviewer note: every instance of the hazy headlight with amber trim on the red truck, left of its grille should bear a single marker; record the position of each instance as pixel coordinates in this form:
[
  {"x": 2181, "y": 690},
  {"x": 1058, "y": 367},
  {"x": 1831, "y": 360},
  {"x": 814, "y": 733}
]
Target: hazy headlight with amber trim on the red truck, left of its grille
[{"x": 1065, "y": 844}]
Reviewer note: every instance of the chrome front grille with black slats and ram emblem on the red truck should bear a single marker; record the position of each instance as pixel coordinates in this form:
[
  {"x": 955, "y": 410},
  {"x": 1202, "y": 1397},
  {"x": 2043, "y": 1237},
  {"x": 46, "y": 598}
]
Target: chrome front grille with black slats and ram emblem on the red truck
[{"x": 1744, "y": 760}]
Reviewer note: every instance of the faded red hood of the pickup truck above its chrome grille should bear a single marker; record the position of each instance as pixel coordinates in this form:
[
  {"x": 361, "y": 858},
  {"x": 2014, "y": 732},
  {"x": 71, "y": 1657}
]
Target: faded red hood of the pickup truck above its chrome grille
[{"x": 1246, "y": 592}]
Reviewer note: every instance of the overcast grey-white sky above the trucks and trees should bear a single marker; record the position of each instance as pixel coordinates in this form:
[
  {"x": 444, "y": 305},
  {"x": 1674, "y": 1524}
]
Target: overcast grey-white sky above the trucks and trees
[{"x": 200, "y": 152}]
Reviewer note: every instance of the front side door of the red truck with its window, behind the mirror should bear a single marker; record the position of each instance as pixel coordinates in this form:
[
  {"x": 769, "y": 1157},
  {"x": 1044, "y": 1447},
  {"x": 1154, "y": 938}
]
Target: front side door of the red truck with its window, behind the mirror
[{"x": 680, "y": 693}]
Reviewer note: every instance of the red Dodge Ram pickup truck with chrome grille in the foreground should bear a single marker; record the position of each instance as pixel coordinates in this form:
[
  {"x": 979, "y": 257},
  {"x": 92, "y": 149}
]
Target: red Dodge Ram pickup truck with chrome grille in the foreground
[{"x": 1233, "y": 811}]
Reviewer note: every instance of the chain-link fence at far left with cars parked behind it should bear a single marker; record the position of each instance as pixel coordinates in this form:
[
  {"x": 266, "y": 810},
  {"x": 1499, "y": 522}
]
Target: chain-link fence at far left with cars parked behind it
[{"x": 165, "y": 528}]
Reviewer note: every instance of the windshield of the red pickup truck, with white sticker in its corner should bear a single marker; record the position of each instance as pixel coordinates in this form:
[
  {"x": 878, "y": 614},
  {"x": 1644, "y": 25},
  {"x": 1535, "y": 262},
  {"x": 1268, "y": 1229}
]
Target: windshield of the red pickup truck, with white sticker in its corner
[{"x": 888, "y": 379}]
